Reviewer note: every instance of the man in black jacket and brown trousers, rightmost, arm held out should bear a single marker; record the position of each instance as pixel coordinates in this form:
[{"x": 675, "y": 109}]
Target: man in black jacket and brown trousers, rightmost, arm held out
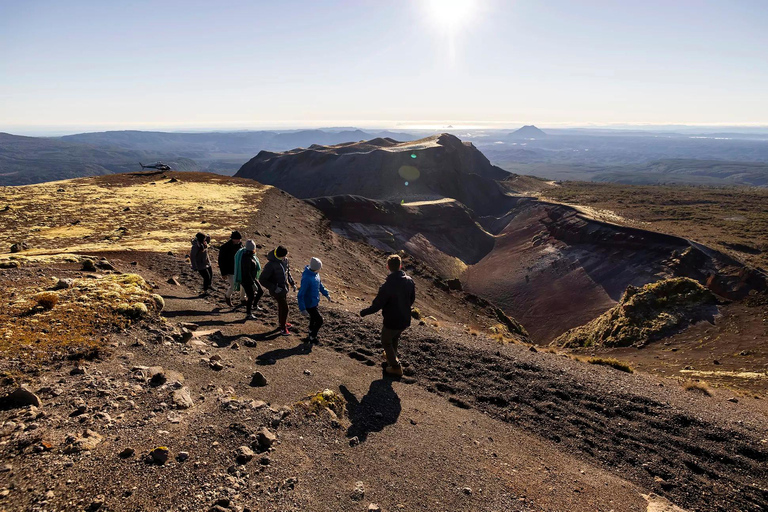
[{"x": 395, "y": 298}]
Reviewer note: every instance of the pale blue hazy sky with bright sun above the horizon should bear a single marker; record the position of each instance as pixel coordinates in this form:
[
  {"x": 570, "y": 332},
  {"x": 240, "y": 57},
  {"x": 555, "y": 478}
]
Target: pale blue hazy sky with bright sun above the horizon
[{"x": 80, "y": 64}]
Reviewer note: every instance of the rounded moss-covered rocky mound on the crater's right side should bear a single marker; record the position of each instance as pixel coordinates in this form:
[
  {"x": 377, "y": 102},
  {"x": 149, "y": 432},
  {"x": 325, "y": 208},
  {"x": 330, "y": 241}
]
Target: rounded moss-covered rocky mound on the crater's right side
[{"x": 644, "y": 315}]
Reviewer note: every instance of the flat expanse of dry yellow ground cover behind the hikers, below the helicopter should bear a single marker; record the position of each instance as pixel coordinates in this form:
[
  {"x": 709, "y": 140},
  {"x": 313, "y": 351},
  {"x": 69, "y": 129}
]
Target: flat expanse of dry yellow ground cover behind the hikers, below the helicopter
[{"x": 148, "y": 213}]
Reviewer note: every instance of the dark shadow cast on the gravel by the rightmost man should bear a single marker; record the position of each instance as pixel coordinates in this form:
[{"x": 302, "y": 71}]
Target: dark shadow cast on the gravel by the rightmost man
[{"x": 377, "y": 409}]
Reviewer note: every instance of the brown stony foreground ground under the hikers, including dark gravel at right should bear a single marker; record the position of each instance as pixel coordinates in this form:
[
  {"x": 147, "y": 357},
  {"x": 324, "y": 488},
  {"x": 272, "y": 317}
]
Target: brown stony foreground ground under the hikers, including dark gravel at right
[{"x": 168, "y": 419}]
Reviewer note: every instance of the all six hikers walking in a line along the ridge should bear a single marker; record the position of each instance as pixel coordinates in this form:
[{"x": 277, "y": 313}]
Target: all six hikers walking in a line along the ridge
[{"x": 246, "y": 281}]
